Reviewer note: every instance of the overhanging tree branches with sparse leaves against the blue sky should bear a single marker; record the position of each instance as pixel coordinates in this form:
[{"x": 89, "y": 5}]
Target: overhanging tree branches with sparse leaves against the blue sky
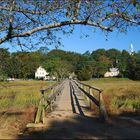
[{"x": 21, "y": 20}]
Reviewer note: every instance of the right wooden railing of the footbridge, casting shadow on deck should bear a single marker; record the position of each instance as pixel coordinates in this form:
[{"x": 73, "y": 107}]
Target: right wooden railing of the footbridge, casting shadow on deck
[{"x": 88, "y": 92}]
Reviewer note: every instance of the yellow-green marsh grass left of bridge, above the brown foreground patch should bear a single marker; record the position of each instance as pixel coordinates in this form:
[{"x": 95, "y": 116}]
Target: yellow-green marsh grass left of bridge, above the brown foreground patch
[{"x": 20, "y": 94}]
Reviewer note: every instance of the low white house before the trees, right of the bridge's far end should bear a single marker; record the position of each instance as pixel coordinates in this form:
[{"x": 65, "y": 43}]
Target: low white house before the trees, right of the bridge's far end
[{"x": 112, "y": 73}]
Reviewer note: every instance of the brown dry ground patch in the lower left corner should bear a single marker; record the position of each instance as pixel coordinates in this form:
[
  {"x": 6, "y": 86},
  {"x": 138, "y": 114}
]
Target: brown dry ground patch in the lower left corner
[{"x": 13, "y": 121}]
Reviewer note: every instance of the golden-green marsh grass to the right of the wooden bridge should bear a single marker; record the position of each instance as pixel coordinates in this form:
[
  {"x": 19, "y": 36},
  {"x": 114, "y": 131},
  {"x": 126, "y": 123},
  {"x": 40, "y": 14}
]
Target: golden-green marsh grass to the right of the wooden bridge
[{"x": 119, "y": 93}]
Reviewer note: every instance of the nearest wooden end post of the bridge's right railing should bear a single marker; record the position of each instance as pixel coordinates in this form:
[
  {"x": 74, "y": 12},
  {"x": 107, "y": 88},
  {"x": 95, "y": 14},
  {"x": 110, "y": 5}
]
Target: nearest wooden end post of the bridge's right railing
[{"x": 103, "y": 113}]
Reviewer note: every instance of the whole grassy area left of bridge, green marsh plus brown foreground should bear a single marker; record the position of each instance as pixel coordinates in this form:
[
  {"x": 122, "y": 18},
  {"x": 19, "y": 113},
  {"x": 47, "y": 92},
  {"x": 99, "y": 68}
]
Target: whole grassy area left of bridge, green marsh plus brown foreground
[{"x": 18, "y": 102}]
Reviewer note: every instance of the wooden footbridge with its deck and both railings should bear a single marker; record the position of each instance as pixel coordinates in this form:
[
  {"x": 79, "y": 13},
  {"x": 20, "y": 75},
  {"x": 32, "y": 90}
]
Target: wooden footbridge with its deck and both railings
[{"x": 70, "y": 97}]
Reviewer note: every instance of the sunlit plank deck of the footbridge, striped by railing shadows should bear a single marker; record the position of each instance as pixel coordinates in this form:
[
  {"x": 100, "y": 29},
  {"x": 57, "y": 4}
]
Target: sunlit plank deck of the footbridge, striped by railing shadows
[{"x": 71, "y": 101}]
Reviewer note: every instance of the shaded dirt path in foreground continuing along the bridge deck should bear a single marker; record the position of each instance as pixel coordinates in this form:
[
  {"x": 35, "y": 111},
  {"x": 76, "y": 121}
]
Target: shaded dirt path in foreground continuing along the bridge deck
[{"x": 72, "y": 119}]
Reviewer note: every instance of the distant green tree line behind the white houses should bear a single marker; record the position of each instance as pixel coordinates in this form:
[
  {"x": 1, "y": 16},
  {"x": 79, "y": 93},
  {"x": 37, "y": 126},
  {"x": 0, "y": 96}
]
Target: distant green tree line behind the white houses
[{"x": 62, "y": 63}]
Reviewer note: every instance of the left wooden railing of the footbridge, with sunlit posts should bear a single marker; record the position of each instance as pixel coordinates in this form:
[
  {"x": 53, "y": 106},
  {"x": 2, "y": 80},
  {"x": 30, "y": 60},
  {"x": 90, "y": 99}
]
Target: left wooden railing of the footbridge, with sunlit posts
[{"x": 48, "y": 96}]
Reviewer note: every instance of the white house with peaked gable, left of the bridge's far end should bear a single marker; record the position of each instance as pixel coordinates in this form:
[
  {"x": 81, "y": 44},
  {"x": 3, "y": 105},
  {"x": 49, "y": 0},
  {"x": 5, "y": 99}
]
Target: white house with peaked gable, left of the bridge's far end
[{"x": 42, "y": 73}]
